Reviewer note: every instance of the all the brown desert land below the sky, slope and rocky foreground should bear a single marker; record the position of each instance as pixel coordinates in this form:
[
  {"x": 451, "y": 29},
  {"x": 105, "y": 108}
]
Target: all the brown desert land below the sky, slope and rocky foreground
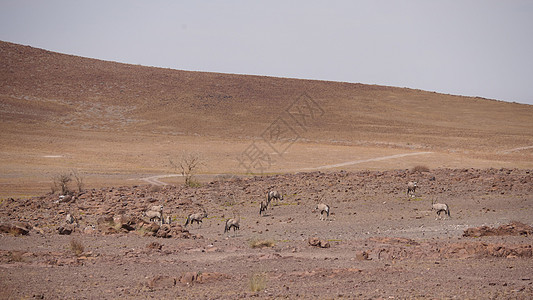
[{"x": 353, "y": 146}]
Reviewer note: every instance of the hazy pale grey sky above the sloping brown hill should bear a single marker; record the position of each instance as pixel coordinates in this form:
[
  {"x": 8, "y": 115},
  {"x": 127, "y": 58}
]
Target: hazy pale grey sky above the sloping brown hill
[{"x": 474, "y": 48}]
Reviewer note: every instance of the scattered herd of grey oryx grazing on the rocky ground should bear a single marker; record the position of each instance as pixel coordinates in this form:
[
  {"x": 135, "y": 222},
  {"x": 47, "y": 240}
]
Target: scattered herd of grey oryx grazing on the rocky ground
[{"x": 156, "y": 212}]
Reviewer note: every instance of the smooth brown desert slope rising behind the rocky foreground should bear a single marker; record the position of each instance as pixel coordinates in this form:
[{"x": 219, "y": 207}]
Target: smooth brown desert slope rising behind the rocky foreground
[{"x": 116, "y": 121}]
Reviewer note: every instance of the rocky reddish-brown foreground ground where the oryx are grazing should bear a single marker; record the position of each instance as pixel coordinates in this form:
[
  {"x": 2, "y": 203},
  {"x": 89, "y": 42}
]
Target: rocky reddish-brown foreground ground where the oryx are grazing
[{"x": 378, "y": 243}]
